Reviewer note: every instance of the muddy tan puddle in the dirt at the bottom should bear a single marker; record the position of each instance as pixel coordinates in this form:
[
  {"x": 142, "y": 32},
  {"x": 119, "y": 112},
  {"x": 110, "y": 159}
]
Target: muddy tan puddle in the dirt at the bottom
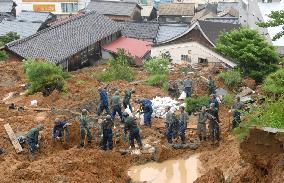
[{"x": 171, "y": 171}]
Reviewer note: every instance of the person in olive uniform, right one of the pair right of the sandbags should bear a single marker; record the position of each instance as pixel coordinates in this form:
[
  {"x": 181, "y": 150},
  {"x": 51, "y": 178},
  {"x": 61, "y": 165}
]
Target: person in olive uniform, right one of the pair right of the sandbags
[{"x": 213, "y": 123}]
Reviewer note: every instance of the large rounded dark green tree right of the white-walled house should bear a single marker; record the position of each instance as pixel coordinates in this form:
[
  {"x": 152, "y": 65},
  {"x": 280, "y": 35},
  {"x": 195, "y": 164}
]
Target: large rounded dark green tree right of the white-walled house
[{"x": 254, "y": 56}]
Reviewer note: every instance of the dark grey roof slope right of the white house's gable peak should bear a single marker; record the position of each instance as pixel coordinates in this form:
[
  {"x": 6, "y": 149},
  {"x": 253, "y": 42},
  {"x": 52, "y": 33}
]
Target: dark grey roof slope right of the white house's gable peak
[{"x": 213, "y": 29}]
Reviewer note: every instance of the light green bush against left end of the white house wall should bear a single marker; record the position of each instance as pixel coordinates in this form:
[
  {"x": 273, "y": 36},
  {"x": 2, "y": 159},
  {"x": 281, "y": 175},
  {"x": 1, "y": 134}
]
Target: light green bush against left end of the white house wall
[{"x": 157, "y": 65}]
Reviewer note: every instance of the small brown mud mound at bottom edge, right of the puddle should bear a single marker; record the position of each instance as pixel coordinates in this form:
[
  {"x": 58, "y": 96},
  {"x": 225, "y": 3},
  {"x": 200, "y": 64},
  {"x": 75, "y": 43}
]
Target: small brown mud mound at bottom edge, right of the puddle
[{"x": 212, "y": 176}]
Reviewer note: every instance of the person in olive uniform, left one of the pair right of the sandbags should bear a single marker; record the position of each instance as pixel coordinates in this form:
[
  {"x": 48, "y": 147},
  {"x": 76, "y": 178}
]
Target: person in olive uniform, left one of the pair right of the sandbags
[{"x": 201, "y": 124}]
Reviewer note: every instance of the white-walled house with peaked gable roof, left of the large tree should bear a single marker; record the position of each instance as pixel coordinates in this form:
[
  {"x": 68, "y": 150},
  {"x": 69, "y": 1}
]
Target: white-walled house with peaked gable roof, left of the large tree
[{"x": 192, "y": 44}]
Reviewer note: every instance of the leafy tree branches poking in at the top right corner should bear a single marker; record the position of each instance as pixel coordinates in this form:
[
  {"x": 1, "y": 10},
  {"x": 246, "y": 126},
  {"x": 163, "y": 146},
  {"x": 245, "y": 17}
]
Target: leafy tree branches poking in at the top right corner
[{"x": 276, "y": 19}]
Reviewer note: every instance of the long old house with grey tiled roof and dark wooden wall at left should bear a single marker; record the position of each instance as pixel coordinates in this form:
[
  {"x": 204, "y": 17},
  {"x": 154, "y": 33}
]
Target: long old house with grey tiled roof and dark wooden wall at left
[{"x": 72, "y": 44}]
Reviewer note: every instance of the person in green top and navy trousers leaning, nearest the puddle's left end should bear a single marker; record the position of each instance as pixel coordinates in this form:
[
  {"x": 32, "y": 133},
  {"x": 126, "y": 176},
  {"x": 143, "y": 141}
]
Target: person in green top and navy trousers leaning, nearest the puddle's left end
[{"x": 134, "y": 132}]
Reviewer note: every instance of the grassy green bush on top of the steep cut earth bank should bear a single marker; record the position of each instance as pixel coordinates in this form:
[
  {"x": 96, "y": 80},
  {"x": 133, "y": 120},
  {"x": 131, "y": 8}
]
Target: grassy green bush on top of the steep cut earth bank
[{"x": 270, "y": 114}]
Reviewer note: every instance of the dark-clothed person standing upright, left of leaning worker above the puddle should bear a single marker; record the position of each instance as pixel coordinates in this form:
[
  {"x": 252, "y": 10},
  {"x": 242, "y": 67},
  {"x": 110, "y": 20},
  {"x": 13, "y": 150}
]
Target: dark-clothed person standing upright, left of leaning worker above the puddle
[{"x": 106, "y": 127}]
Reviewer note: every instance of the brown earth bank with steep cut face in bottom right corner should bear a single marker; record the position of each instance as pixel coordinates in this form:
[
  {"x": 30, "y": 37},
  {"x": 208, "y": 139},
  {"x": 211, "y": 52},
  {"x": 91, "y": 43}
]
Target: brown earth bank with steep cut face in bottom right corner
[{"x": 263, "y": 150}]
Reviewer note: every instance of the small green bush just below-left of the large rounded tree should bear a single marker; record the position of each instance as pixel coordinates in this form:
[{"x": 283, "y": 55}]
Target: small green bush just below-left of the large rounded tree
[{"x": 231, "y": 78}]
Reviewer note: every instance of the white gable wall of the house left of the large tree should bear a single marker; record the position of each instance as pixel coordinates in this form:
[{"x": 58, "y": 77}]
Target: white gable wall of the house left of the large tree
[{"x": 194, "y": 51}]
